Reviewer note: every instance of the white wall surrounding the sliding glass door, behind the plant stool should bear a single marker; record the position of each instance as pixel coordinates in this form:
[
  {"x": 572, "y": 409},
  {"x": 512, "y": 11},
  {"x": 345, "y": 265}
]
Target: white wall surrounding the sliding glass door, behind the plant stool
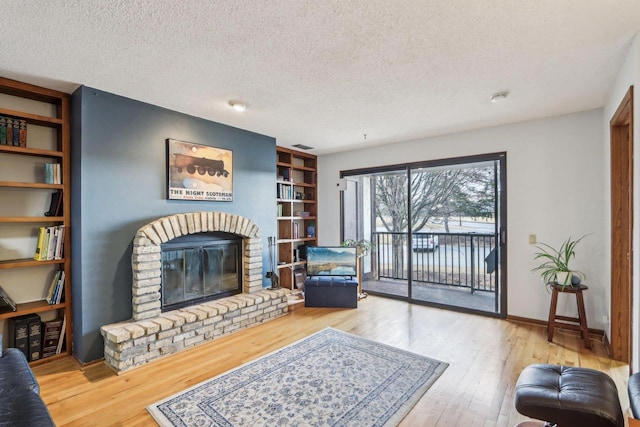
[{"x": 555, "y": 180}]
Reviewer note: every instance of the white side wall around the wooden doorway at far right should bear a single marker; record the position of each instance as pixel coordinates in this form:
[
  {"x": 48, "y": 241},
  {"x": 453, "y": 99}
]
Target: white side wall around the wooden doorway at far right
[{"x": 629, "y": 75}]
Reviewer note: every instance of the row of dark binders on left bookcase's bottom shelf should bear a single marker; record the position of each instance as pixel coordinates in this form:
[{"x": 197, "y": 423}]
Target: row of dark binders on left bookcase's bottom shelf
[{"x": 35, "y": 338}]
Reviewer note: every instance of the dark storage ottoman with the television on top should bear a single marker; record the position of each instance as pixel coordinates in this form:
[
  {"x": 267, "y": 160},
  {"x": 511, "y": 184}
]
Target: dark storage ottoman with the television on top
[{"x": 331, "y": 291}]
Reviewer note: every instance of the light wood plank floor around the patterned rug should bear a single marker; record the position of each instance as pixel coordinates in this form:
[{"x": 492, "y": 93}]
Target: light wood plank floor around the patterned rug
[{"x": 485, "y": 356}]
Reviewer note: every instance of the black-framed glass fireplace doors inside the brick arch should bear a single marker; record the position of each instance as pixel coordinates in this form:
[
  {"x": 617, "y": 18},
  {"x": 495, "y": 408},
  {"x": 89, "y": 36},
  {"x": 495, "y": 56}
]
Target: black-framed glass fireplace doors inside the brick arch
[{"x": 189, "y": 276}]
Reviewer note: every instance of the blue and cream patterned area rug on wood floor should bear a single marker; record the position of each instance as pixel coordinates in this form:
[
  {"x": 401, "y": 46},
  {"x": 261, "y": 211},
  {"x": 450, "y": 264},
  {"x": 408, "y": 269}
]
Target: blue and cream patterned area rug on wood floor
[{"x": 330, "y": 378}]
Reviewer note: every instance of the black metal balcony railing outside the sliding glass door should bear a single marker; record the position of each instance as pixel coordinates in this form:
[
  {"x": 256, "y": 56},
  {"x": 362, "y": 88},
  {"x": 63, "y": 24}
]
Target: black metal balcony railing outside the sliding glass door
[{"x": 467, "y": 260}]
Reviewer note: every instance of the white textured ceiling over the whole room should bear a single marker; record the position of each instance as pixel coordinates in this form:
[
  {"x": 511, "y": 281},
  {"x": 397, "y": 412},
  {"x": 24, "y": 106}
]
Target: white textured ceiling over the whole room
[{"x": 324, "y": 73}]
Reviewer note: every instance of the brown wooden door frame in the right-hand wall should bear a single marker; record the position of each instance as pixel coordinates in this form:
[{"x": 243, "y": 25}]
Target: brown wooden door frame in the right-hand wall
[{"x": 621, "y": 275}]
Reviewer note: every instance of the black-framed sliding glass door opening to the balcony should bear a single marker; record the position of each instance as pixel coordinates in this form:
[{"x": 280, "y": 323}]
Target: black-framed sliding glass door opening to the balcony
[{"x": 437, "y": 229}]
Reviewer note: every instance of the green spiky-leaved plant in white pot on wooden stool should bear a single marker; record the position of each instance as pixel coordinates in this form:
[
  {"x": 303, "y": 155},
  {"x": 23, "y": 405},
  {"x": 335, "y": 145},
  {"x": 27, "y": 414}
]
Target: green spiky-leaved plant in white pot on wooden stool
[{"x": 554, "y": 263}]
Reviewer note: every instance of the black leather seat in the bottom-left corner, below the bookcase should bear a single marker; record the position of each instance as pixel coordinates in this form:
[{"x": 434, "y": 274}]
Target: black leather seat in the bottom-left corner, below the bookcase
[{"x": 20, "y": 402}]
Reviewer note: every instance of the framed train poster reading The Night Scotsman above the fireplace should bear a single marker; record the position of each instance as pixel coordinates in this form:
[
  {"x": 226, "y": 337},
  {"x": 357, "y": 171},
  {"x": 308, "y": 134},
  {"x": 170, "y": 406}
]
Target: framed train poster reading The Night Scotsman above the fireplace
[{"x": 199, "y": 172}]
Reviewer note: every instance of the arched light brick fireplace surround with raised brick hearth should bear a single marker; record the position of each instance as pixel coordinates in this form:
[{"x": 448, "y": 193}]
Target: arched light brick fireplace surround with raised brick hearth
[{"x": 151, "y": 334}]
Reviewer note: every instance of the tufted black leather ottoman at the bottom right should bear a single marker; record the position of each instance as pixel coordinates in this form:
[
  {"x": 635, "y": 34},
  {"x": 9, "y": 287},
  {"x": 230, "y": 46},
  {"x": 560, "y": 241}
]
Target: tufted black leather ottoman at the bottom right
[{"x": 568, "y": 396}]
